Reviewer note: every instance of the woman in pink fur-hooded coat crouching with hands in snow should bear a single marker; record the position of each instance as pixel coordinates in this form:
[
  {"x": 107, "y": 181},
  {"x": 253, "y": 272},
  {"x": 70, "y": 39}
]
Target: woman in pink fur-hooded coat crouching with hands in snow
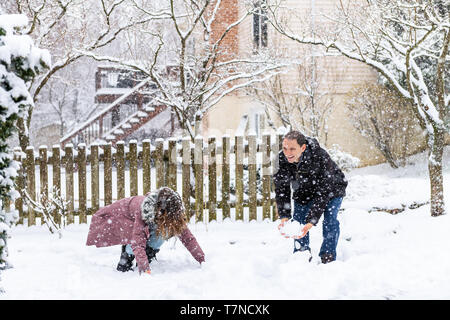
[{"x": 141, "y": 224}]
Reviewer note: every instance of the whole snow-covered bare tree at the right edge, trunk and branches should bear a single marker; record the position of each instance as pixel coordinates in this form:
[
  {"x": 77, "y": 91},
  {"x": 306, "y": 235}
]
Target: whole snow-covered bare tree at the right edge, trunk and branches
[{"x": 408, "y": 43}]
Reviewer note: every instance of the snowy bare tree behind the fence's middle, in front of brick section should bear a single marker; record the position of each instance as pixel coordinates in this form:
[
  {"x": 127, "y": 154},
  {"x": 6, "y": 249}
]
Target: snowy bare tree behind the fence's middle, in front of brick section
[{"x": 190, "y": 64}]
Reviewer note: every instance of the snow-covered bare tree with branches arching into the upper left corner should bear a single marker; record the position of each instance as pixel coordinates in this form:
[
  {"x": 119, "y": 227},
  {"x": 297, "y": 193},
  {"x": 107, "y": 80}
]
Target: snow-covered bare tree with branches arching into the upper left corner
[{"x": 67, "y": 28}]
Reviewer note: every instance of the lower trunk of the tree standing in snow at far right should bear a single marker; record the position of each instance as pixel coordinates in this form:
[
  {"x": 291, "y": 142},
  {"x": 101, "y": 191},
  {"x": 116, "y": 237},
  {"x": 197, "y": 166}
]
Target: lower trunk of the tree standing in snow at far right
[{"x": 435, "y": 172}]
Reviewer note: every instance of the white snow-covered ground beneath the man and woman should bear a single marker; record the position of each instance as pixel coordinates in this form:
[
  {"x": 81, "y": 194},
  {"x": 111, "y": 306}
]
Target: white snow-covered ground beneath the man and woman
[{"x": 380, "y": 256}]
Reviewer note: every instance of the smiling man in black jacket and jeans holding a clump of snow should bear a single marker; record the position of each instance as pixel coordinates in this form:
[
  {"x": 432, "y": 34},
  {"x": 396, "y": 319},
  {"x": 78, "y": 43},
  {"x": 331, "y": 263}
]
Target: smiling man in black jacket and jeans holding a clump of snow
[{"x": 318, "y": 187}]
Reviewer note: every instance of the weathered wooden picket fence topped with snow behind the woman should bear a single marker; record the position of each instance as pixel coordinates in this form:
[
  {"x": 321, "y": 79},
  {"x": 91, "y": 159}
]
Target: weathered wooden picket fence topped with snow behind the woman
[{"x": 87, "y": 176}]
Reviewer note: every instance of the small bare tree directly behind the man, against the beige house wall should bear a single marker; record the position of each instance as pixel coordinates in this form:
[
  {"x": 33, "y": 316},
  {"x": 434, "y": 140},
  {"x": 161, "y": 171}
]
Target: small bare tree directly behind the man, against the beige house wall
[{"x": 304, "y": 98}]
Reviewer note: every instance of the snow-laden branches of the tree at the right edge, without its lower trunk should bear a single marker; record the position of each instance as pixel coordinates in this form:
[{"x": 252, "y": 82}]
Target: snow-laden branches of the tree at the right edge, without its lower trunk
[{"x": 394, "y": 37}]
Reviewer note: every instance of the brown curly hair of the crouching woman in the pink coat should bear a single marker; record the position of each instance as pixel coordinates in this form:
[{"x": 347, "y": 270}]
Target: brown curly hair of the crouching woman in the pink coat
[{"x": 170, "y": 215}]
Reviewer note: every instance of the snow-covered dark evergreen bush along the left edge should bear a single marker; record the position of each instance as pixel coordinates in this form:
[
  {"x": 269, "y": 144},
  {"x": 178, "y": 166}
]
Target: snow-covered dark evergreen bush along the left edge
[{"x": 20, "y": 61}]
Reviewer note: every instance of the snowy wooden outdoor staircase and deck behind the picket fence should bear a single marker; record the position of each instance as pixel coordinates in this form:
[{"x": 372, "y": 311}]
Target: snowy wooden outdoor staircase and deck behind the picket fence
[{"x": 124, "y": 105}]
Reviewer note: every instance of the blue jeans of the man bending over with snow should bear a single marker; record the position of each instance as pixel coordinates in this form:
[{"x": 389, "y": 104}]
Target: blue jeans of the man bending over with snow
[{"x": 330, "y": 227}]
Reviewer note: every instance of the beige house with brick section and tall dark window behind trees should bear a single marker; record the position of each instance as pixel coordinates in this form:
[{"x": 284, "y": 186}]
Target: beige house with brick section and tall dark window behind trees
[{"x": 256, "y": 34}]
